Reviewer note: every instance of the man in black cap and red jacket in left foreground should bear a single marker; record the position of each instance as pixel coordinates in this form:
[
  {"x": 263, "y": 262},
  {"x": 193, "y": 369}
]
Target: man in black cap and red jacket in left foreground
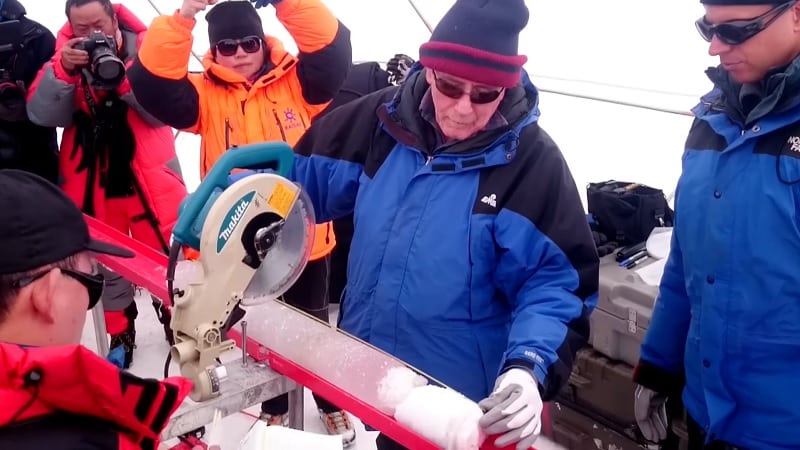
[{"x": 56, "y": 394}]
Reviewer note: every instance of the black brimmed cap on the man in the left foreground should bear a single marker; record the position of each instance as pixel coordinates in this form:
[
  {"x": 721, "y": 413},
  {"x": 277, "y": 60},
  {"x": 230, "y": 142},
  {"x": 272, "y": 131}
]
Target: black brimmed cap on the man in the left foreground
[{"x": 40, "y": 225}]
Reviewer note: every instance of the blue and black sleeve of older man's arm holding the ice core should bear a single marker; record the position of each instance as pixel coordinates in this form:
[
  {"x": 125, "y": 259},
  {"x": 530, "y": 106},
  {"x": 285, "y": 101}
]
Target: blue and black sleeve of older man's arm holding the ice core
[{"x": 548, "y": 269}]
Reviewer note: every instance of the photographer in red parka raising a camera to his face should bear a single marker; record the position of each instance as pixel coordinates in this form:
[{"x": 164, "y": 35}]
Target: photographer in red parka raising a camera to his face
[{"x": 118, "y": 163}]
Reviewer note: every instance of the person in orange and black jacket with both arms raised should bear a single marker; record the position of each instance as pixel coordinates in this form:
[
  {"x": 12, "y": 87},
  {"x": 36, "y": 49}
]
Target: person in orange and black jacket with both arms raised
[{"x": 252, "y": 90}]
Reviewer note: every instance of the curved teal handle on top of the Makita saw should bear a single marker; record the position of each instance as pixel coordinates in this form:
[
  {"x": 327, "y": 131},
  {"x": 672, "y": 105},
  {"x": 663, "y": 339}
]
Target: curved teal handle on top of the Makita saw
[{"x": 277, "y": 156}]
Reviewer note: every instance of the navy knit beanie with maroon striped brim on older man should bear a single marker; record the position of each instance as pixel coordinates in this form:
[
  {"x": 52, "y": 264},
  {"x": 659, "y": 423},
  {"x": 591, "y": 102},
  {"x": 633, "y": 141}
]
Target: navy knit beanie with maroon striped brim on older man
[{"x": 478, "y": 40}]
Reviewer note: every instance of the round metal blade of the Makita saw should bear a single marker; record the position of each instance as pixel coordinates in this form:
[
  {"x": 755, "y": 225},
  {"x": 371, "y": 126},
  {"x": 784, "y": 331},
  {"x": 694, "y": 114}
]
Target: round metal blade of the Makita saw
[{"x": 287, "y": 257}]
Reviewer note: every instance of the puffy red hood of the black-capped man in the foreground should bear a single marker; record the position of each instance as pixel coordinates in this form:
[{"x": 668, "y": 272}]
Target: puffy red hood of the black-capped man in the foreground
[{"x": 36, "y": 382}]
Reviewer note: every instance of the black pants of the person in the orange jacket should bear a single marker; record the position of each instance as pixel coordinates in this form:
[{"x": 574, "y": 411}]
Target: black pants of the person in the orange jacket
[{"x": 310, "y": 294}]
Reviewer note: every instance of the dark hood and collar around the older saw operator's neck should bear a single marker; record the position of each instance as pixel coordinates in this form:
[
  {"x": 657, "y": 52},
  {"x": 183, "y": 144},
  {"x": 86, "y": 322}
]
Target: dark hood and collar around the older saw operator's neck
[{"x": 520, "y": 107}]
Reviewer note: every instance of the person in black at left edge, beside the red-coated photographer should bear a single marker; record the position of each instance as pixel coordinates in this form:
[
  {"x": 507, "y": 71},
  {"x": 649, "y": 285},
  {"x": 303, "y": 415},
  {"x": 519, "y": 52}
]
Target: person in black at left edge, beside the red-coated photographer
[{"x": 25, "y": 45}]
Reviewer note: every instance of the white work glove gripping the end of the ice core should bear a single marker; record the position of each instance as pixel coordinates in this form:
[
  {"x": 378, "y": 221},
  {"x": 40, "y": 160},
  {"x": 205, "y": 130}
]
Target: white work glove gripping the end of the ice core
[{"x": 514, "y": 410}]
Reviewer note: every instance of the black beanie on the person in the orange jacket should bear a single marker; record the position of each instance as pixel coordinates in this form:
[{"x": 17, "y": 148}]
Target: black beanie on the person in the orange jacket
[{"x": 233, "y": 19}]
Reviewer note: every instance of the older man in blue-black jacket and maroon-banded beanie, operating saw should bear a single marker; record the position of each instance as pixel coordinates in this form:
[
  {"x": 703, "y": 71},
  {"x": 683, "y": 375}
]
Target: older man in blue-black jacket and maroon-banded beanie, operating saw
[{"x": 471, "y": 257}]
